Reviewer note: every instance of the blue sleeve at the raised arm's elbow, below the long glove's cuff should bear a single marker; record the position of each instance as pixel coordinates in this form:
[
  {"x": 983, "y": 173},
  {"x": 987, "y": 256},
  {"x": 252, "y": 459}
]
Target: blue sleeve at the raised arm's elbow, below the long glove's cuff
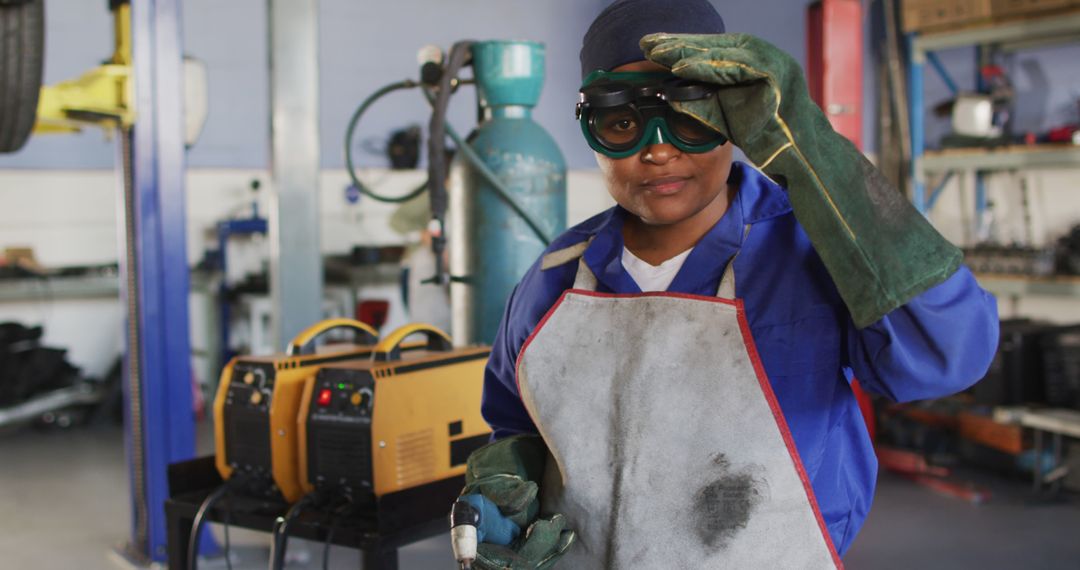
[{"x": 940, "y": 344}]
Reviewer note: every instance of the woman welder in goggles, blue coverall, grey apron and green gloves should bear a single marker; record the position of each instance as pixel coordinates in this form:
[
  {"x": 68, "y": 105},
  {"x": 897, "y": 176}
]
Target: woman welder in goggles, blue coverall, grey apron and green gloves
[{"x": 671, "y": 384}]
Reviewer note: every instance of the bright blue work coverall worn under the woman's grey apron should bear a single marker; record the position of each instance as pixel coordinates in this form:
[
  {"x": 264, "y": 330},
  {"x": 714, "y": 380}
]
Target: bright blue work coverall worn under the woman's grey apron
[{"x": 939, "y": 344}]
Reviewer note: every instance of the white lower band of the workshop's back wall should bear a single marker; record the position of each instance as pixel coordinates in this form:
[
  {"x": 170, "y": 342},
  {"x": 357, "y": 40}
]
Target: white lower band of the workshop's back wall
[{"x": 70, "y": 219}]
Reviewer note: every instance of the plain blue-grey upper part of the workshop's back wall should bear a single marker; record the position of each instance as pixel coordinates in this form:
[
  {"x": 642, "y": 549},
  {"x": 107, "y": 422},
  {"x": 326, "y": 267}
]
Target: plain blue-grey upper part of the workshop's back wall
[{"x": 363, "y": 47}]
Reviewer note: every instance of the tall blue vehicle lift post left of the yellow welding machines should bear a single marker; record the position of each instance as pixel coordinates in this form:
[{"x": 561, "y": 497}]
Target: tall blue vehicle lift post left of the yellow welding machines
[{"x": 159, "y": 416}]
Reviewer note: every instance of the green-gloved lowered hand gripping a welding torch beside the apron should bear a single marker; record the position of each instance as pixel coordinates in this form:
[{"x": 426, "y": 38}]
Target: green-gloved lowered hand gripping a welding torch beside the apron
[{"x": 505, "y": 473}]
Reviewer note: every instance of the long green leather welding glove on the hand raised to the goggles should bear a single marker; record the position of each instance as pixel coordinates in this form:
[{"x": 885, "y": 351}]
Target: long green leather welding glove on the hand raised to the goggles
[{"x": 880, "y": 251}]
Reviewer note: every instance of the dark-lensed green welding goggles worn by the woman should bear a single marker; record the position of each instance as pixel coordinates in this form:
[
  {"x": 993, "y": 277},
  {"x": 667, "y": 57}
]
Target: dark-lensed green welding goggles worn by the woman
[{"x": 622, "y": 113}]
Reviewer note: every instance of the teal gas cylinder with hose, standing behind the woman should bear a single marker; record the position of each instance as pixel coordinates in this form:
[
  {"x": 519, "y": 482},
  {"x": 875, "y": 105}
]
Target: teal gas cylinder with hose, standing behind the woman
[{"x": 499, "y": 246}]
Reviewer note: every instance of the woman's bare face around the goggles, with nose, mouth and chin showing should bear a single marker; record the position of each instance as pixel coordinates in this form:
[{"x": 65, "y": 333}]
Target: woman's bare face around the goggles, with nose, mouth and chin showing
[{"x": 663, "y": 185}]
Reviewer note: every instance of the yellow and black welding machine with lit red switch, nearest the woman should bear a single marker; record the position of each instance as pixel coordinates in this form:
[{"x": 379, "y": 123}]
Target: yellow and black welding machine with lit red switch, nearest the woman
[{"x": 400, "y": 422}]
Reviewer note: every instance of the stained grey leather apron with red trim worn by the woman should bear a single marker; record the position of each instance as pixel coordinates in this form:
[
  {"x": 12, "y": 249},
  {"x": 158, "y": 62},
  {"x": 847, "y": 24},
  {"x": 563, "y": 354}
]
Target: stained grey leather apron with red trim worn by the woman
[{"x": 668, "y": 446}]
